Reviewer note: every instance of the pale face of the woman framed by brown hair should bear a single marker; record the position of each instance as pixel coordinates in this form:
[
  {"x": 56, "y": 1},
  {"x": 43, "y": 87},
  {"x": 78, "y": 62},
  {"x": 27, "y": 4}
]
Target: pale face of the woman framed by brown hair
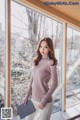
[{"x": 44, "y": 49}]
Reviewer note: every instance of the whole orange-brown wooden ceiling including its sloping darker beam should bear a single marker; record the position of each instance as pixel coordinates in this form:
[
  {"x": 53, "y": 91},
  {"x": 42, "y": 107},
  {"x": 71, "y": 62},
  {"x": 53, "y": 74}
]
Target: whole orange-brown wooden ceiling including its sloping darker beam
[{"x": 68, "y": 13}]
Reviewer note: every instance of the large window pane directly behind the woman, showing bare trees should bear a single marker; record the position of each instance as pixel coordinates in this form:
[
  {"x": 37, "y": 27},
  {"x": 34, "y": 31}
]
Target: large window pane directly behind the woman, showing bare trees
[{"x": 27, "y": 28}]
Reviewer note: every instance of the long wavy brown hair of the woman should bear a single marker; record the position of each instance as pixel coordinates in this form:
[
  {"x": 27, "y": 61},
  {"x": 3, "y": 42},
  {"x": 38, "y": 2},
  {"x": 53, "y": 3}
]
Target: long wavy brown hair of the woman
[{"x": 51, "y": 53}]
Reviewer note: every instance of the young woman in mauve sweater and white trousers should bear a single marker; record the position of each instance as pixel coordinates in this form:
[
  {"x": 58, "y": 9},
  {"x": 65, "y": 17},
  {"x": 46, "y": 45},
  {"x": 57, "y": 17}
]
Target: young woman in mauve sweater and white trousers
[{"x": 44, "y": 71}]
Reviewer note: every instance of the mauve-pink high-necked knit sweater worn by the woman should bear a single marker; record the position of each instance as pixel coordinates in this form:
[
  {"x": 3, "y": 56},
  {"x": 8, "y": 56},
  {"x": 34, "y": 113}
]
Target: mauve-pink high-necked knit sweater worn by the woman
[{"x": 41, "y": 75}]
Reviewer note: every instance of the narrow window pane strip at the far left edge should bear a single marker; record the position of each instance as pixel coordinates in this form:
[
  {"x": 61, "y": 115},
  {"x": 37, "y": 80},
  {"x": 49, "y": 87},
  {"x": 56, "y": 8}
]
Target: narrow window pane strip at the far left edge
[{"x": 2, "y": 52}]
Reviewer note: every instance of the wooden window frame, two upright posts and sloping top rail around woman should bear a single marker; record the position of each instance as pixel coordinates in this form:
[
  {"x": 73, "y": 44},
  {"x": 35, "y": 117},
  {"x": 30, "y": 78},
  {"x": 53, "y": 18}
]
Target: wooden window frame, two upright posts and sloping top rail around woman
[{"x": 8, "y": 49}]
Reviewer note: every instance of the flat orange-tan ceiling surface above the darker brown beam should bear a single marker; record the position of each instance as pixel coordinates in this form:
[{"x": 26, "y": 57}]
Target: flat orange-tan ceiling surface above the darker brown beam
[{"x": 72, "y": 11}]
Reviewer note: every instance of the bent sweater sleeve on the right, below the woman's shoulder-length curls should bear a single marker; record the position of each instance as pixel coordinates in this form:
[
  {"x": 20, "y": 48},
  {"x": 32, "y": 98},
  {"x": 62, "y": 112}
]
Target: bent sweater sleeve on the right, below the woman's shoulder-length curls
[{"x": 54, "y": 84}]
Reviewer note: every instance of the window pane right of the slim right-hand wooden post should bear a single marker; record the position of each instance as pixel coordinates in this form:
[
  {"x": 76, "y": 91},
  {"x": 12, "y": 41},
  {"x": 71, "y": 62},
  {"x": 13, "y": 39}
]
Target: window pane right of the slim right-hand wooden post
[{"x": 73, "y": 67}]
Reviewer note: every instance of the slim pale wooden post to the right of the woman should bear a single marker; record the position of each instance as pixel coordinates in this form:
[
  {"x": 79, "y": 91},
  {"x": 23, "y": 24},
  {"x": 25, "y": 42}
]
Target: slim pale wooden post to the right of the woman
[{"x": 64, "y": 59}]
